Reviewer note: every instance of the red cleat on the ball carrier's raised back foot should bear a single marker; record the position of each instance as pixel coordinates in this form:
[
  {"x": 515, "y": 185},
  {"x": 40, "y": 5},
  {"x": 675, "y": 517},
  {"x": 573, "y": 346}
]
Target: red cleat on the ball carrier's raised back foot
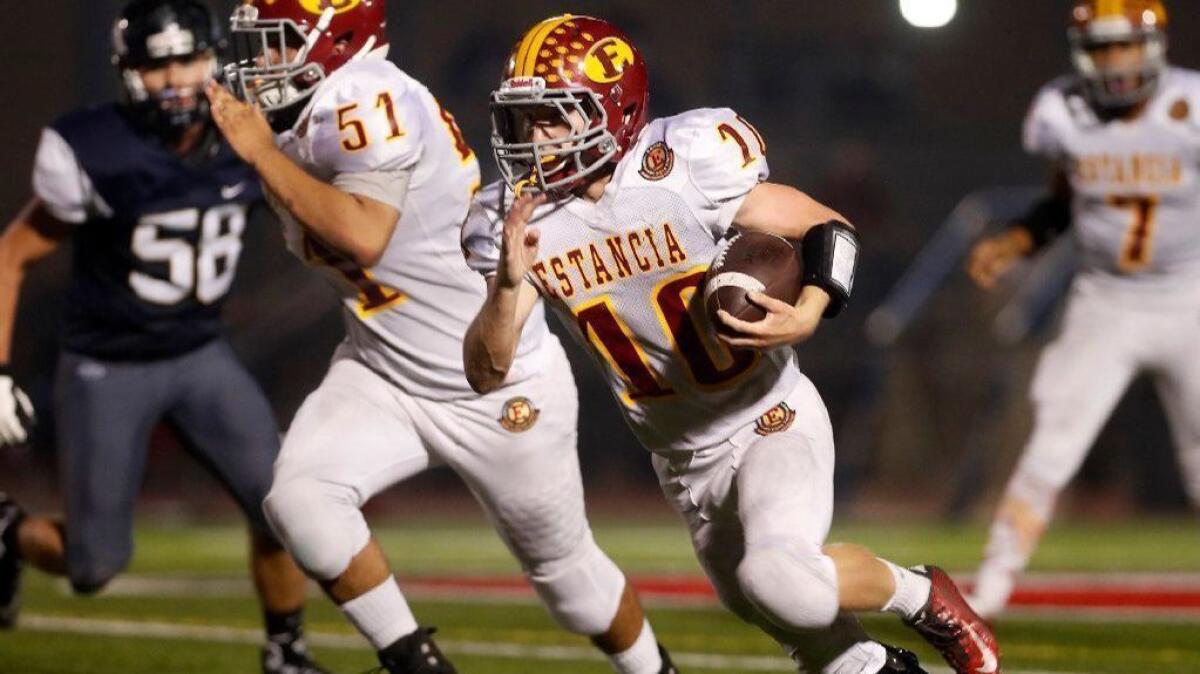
[{"x": 952, "y": 628}]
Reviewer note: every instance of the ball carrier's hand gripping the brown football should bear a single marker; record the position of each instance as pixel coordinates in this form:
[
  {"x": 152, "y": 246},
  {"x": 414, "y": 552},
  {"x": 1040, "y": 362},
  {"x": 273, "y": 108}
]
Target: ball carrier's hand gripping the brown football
[{"x": 783, "y": 326}]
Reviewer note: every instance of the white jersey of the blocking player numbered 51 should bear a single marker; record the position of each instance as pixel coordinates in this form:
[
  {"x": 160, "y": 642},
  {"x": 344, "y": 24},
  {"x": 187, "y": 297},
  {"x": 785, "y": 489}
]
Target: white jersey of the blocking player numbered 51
[{"x": 406, "y": 316}]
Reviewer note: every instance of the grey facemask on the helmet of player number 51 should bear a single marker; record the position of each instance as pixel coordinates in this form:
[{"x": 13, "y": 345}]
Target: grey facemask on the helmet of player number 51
[{"x": 271, "y": 65}]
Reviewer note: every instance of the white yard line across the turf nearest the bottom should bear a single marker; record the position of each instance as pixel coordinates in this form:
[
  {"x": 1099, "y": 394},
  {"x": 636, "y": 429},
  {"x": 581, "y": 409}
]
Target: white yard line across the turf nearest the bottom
[{"x": 152, "y": 630}]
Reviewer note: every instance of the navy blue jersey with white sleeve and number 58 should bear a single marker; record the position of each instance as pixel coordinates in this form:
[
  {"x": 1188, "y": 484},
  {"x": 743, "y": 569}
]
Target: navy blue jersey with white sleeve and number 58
[{"x": 159, "y": 236}]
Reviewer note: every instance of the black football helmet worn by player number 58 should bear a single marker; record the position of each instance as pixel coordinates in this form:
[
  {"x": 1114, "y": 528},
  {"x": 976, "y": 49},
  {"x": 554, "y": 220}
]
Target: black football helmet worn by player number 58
[{"x": 152, "y": 33}]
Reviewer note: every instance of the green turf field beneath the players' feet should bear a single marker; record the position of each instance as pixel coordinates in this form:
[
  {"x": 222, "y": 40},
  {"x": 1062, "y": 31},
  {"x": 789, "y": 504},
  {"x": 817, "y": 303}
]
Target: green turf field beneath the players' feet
[{"x": 205, "y": 625}]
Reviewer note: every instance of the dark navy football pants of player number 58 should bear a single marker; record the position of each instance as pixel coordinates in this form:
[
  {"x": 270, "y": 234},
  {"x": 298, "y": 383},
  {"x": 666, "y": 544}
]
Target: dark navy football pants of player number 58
[{"x": 106, "y": 412}]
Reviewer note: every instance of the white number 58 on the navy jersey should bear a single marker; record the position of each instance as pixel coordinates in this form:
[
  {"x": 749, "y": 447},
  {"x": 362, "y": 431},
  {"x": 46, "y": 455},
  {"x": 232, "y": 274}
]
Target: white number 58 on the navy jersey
[{"x": 207, "y": 269}]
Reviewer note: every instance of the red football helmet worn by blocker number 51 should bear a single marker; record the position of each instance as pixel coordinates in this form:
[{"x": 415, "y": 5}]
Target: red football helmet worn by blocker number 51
[{"x": 285, "y": 49}]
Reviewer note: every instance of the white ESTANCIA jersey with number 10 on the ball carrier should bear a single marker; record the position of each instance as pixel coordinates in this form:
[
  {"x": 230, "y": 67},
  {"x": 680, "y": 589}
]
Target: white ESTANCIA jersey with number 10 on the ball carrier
[{"x": 623, "y": 274}]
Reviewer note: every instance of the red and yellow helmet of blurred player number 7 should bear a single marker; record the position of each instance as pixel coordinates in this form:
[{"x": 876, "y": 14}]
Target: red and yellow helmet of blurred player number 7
[{"x": 1099, "y": 23}]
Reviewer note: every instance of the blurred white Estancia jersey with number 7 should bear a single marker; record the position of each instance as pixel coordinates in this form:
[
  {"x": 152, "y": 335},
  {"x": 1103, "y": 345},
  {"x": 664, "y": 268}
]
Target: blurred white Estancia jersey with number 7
[{"x": 1137, "y": 190}]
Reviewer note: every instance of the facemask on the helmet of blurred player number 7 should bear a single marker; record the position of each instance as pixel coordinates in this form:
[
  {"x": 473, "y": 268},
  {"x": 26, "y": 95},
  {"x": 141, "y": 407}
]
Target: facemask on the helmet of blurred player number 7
[{"x": 1124, "y": 87}]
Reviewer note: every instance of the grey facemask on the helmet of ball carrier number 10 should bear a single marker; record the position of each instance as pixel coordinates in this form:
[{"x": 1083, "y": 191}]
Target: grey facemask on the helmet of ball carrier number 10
[{"x": 555, "y": 166}]
